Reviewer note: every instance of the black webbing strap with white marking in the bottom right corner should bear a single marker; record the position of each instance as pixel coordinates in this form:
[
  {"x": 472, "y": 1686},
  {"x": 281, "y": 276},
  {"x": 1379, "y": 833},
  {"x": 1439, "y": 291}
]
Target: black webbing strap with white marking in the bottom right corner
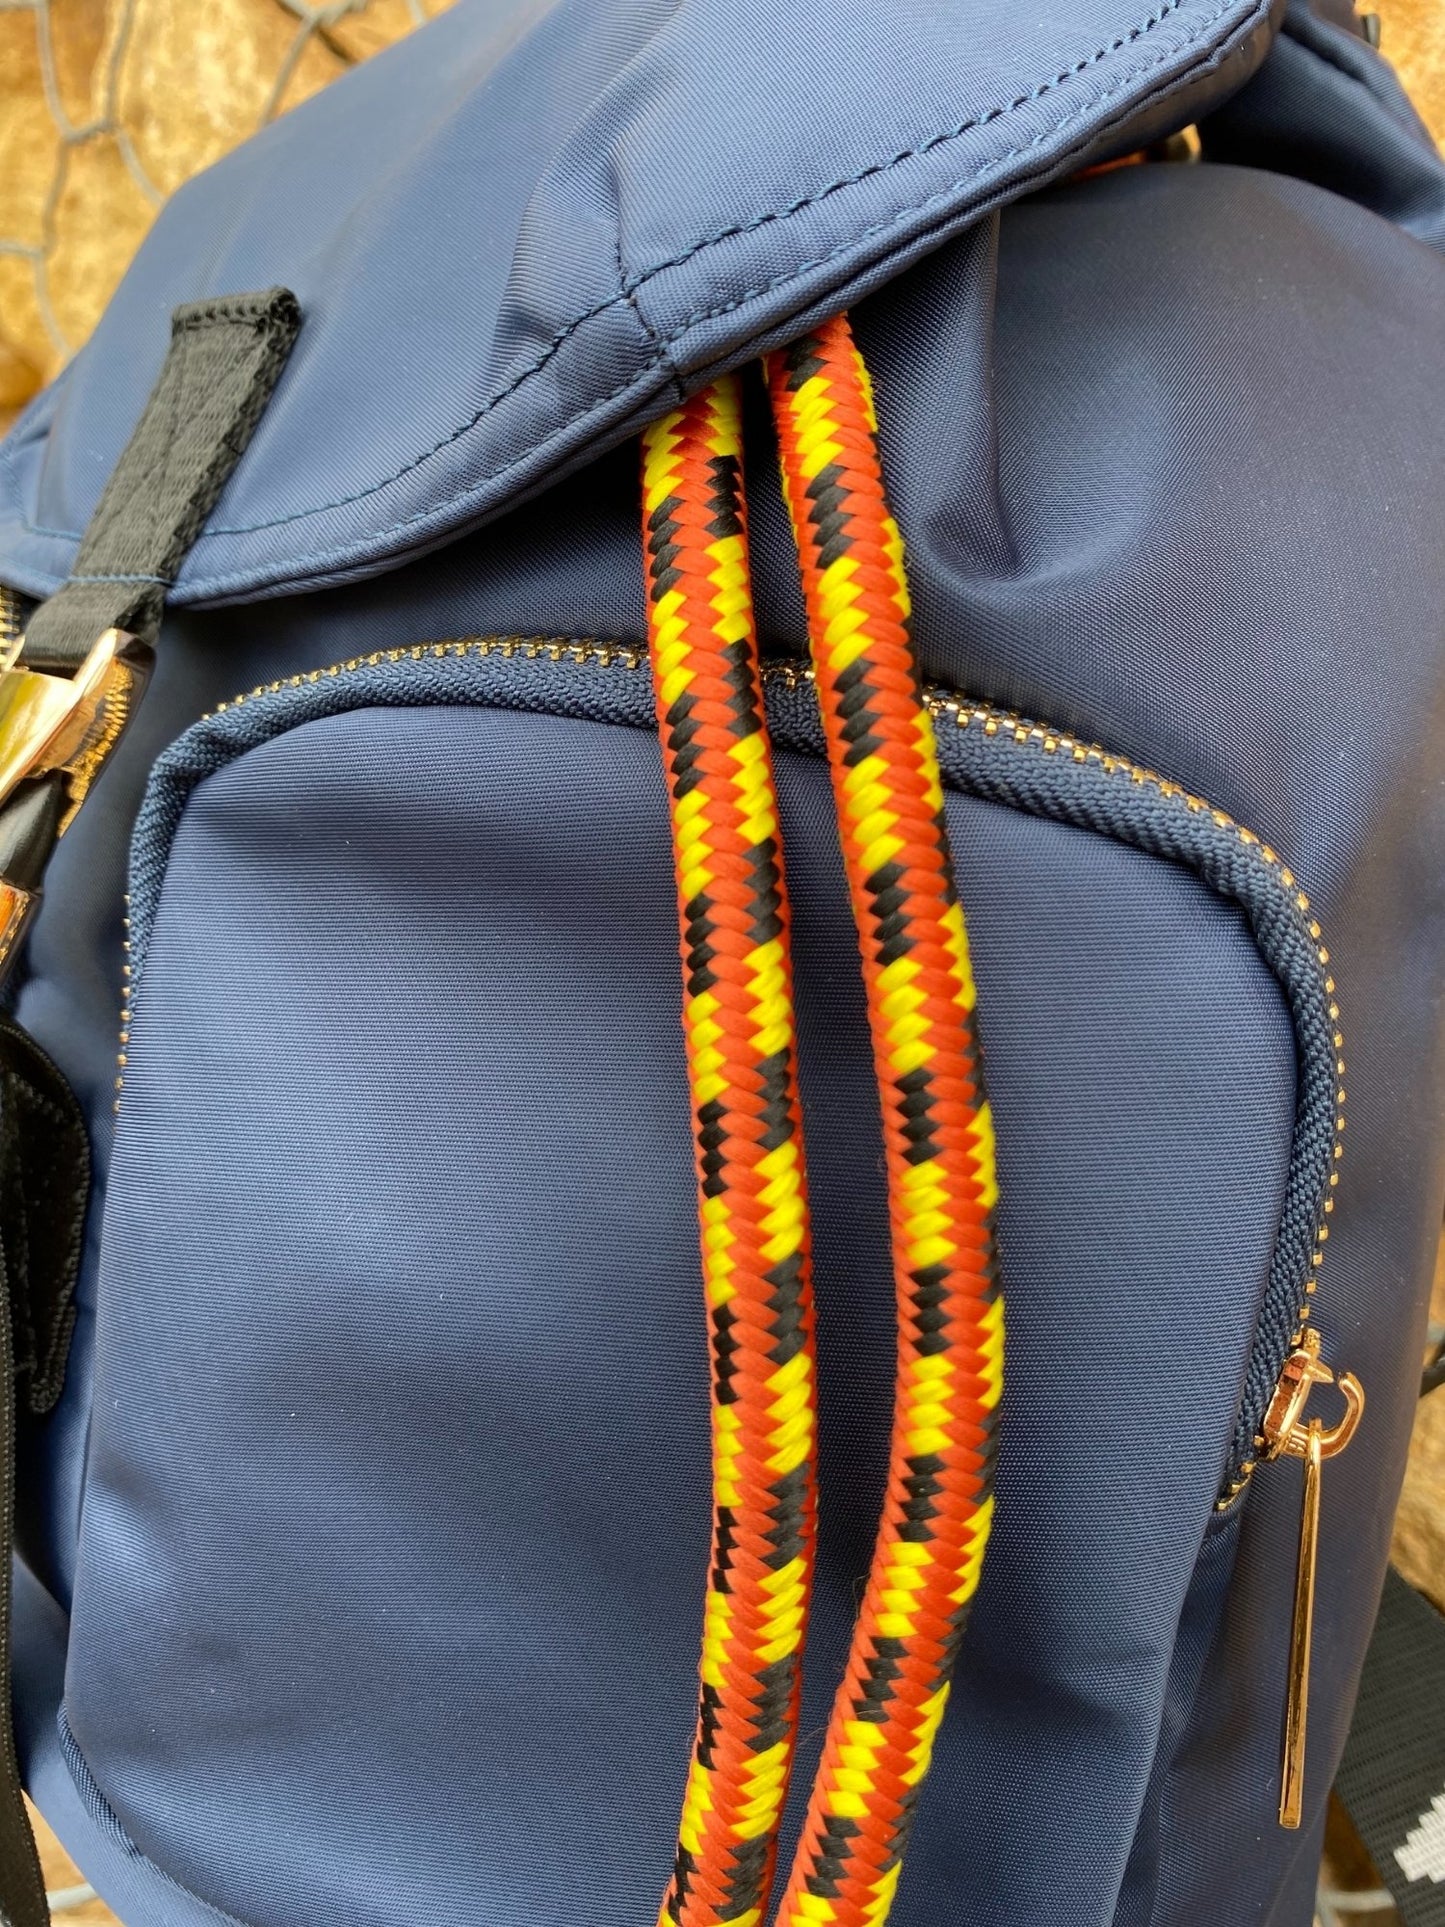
[{"x": 1392, "y": 1778}]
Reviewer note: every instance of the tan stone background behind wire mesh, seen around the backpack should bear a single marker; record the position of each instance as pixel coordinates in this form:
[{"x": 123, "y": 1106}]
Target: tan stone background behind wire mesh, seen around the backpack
[{"x": 109, "y": 105}]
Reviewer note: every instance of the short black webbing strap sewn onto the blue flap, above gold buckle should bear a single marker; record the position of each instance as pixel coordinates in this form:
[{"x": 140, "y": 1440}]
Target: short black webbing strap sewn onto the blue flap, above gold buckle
[{"x": 221, "y": 371}]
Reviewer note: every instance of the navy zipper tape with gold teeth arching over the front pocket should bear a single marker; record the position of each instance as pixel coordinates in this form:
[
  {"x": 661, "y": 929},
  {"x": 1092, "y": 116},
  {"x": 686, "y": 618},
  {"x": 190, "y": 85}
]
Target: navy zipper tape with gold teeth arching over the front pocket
[{"x": 997, "y": 756}]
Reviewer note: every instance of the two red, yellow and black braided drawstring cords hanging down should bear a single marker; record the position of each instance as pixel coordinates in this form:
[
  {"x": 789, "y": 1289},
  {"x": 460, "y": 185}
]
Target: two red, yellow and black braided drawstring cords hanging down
[{"x": 937, "y": 1142}]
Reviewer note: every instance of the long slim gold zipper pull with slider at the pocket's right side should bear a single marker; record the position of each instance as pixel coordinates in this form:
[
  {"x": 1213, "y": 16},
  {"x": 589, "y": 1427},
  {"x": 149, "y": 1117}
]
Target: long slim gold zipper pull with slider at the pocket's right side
[{"x": 1288, "y": 1435}]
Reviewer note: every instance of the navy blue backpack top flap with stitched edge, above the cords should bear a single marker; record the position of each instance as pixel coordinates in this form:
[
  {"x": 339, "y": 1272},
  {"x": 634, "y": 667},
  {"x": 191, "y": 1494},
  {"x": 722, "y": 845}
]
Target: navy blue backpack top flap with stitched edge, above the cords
[{"x": 515, "y": 238}]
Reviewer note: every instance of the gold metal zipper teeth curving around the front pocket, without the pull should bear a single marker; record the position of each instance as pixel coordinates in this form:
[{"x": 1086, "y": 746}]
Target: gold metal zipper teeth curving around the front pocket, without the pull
[{"x": 795, "y": 675}]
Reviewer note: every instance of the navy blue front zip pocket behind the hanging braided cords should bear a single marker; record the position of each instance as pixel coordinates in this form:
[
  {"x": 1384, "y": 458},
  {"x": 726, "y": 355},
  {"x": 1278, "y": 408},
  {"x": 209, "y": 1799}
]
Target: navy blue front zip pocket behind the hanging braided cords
[{"x": 400, "y": 1433}]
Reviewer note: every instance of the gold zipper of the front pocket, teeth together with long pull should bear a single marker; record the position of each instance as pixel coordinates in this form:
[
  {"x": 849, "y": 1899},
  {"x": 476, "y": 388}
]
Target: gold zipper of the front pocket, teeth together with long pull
[{"x": 1286, "y": 1431}]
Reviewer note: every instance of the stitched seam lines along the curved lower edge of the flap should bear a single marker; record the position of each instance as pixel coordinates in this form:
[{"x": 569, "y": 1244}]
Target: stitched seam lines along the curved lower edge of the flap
[{"x": 704, "y": 315}]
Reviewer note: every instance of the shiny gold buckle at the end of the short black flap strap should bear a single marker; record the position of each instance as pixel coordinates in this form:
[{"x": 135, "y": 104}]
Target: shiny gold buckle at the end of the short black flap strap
[{"x": 68, "y": 724}]
